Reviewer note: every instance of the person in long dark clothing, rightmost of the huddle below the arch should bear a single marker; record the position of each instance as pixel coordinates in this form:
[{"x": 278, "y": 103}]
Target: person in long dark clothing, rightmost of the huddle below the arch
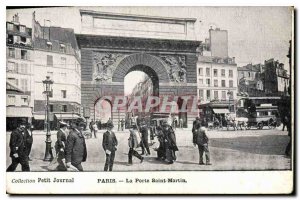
[{"x": 170, "y": 142}]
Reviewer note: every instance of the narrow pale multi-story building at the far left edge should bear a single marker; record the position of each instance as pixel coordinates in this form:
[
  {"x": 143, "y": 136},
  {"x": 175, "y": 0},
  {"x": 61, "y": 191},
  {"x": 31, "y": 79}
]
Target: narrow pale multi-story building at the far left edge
[{"x": 19, "y": 72}]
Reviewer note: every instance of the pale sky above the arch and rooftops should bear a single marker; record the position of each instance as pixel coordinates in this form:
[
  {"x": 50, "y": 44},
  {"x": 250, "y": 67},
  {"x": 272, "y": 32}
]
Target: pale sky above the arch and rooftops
[{"x": 255, "y": 34}]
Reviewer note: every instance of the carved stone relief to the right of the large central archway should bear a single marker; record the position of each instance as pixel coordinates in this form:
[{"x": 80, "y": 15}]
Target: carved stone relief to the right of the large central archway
[{"x": 176, "y": 68}]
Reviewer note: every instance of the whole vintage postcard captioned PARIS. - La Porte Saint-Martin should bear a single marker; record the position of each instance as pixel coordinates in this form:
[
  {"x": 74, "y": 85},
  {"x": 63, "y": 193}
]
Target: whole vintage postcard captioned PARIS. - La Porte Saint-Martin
[{"x": 150, "y": 100}]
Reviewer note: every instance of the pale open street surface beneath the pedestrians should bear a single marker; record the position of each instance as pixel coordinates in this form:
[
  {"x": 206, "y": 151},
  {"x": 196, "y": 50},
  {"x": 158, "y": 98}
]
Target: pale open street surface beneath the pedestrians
[{"x": 230, "y": 150}]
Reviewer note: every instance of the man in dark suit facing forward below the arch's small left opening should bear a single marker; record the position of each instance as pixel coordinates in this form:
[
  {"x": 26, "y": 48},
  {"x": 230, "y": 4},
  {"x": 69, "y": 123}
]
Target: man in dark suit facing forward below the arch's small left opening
[{"x": 109, "y": 144}]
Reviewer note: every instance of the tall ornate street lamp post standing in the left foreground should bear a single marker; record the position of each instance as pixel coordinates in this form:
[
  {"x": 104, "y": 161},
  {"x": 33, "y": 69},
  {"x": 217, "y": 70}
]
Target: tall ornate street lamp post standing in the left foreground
[{"x": 47, "y": 90}]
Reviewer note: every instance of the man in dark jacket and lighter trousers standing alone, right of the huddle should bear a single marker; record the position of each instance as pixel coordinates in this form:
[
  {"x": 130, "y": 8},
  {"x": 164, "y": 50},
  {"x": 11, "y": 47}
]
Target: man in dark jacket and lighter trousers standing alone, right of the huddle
[{"x": 201, "y": 140}]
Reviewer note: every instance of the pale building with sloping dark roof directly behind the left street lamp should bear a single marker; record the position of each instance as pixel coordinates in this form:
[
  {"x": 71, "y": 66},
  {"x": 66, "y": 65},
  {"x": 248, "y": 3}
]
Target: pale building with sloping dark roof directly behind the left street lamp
[{"x": 57, "y": 56}]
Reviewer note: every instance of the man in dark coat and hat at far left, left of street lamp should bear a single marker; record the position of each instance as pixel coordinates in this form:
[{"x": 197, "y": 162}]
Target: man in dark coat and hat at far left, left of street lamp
[{"x": 19, "y": 148}]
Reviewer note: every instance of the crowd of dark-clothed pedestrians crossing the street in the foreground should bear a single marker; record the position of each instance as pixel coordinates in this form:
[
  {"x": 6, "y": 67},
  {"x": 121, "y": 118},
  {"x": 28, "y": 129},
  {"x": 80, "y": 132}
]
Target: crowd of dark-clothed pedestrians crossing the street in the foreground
[{"x": 71, "y": 149}]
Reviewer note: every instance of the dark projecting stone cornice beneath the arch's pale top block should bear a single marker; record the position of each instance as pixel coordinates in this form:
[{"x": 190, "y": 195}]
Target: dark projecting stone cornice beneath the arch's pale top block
[{"x": 113, "y": 42}]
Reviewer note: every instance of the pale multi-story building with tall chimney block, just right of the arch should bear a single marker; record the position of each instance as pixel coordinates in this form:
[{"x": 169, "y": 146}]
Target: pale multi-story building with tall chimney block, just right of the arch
[{"x": 216, "y": 73}]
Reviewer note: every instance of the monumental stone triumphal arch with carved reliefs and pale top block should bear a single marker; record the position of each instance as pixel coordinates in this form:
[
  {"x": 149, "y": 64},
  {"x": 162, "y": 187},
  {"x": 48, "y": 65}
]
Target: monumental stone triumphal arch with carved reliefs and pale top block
[{"x": 113, "y": 45}]
